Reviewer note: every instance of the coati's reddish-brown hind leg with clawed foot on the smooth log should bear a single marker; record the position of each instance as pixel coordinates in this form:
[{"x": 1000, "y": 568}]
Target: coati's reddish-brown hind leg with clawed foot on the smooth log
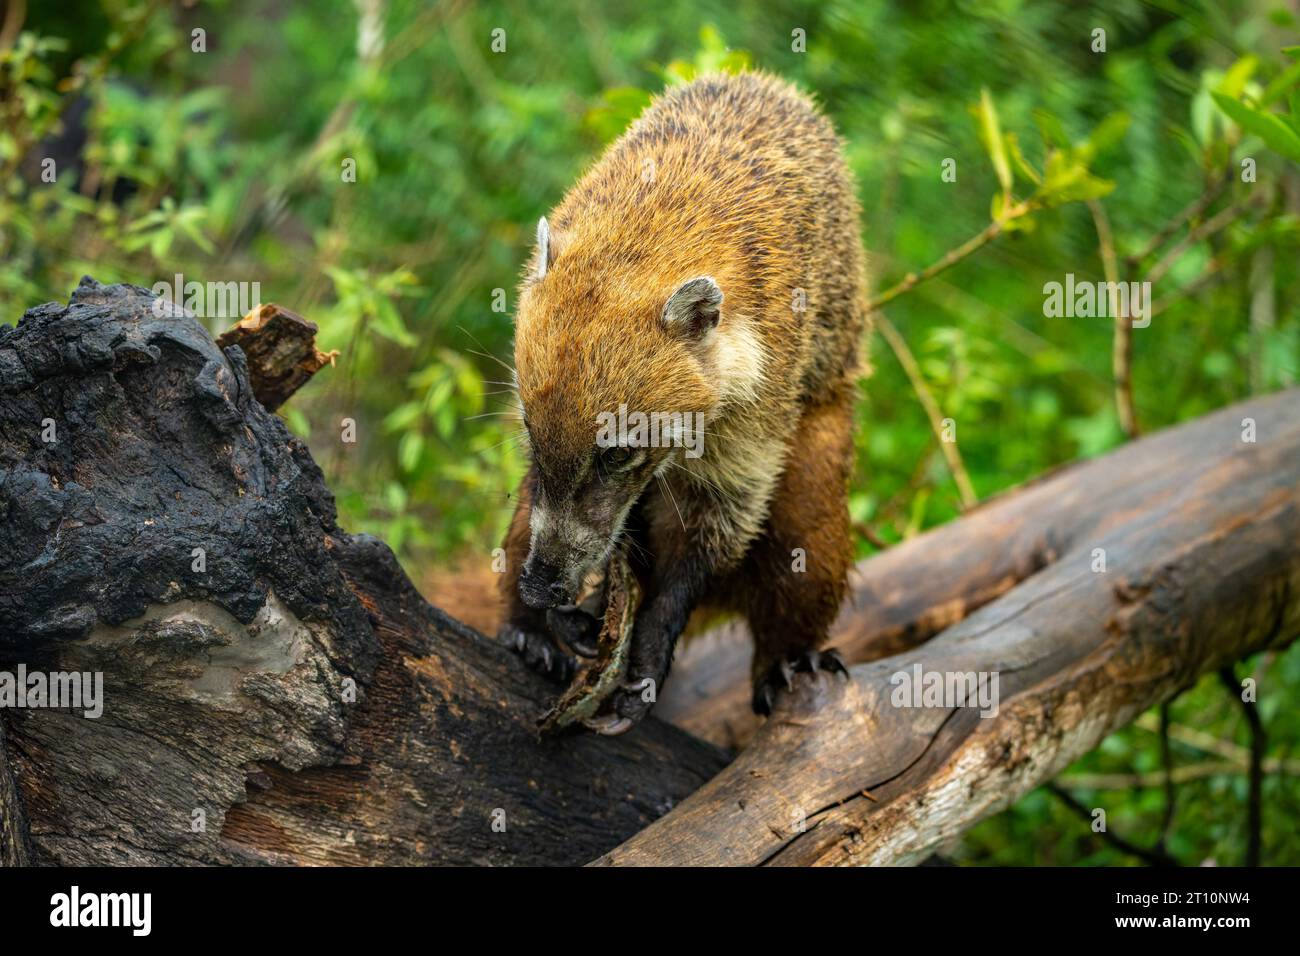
[{"x": 798, "y": 570}]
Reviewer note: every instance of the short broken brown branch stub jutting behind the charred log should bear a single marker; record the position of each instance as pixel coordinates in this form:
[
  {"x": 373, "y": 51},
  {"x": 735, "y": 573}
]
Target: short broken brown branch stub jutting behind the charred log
[{"x": 280, "y": 348}]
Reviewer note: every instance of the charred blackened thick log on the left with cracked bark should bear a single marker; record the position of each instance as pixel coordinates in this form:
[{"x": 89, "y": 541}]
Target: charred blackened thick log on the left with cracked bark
[{"x": 275, "y": 690}]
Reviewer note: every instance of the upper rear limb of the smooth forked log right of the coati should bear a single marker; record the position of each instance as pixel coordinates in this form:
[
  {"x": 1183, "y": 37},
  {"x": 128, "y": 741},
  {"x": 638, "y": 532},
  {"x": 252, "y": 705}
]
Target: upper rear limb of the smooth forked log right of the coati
[{"x": 907, "y": 595}]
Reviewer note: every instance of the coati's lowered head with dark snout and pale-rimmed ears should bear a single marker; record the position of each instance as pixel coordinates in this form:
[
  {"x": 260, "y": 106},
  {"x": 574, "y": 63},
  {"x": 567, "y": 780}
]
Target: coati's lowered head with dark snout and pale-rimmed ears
[{"x": 595, "y": 334}]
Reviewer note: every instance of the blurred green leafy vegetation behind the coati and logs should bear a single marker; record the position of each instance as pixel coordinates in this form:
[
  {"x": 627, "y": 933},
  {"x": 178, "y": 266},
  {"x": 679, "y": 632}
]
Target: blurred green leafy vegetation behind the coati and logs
[{"x": 227, "y": 165}]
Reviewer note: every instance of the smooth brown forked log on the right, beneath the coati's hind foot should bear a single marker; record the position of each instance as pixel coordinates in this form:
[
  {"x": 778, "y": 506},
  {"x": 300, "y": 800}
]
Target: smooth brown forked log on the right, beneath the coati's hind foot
[{"x": 1201, "y": 533}]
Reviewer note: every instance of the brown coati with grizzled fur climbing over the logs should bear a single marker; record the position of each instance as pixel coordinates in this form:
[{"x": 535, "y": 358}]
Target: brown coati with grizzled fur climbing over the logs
[{"x": 709, "y": 263}]
